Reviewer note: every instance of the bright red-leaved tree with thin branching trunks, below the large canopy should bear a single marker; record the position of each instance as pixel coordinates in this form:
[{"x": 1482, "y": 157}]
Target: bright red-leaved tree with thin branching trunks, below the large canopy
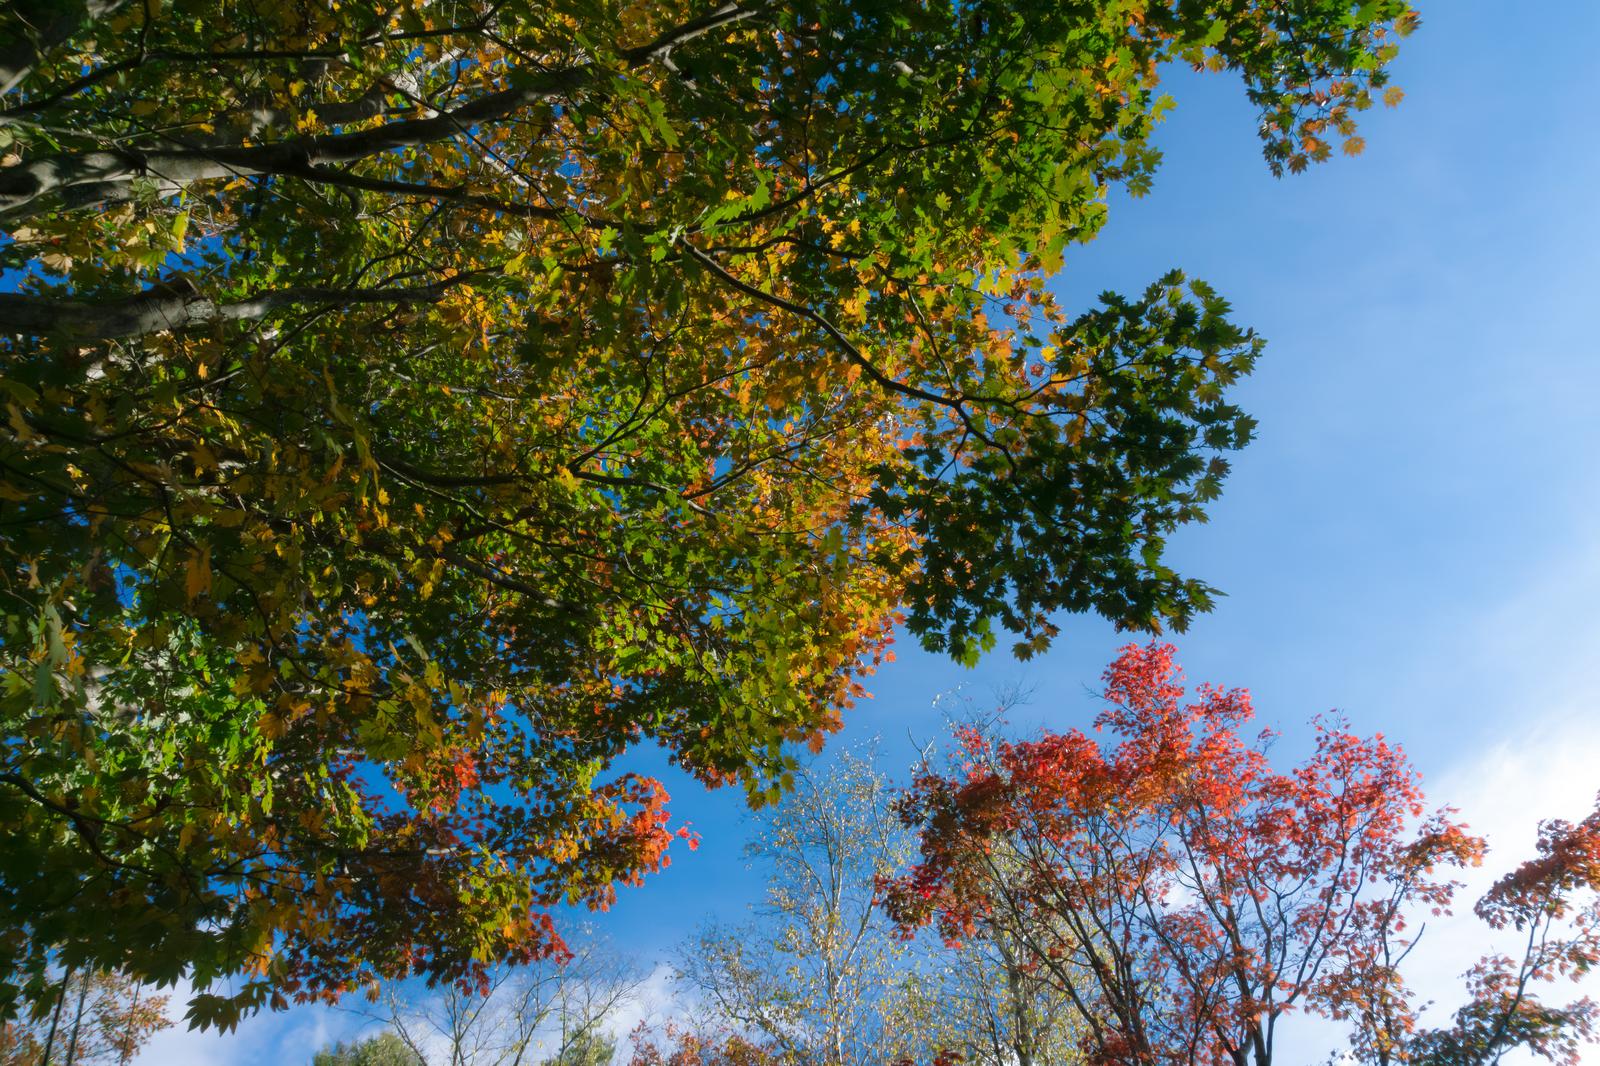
[{"x": 1180, "y": 889}]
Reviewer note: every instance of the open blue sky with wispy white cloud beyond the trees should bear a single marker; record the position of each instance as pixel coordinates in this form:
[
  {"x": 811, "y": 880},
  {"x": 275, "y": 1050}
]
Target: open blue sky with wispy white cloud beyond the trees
[{"x": 1414, "y": 535}]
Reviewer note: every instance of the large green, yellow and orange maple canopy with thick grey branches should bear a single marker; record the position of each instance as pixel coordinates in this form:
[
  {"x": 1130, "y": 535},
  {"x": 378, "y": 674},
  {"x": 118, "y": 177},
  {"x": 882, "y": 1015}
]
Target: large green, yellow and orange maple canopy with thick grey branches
[{"x": 412, "y": 407}]
